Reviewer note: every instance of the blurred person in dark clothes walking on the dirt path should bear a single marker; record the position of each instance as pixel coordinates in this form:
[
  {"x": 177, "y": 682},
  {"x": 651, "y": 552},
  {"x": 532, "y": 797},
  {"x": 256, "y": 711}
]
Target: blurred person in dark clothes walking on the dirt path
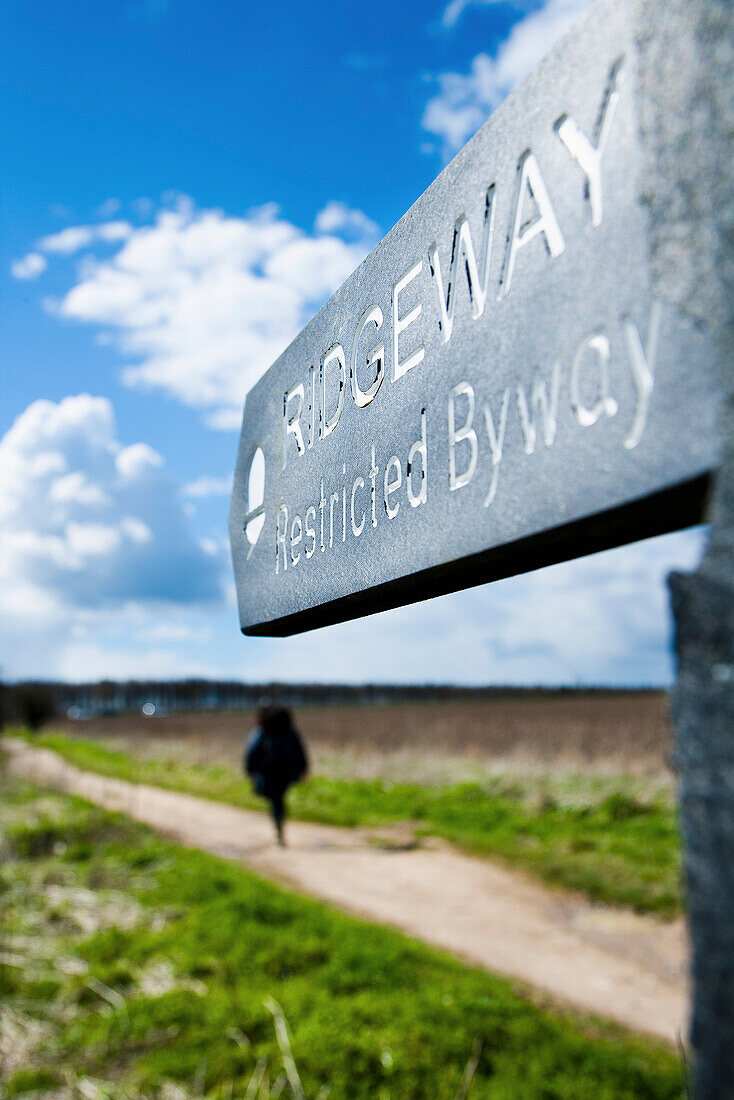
[{"x": 276, "y": 760}]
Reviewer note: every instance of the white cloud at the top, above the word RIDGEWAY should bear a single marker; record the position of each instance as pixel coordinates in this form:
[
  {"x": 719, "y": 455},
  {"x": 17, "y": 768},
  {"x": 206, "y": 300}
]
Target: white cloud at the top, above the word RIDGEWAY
[{"x": 466, "y": 101}]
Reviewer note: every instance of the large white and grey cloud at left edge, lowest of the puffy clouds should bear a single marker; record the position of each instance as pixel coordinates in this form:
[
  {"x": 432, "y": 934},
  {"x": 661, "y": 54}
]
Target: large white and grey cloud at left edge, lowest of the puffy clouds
[{"x": 86, "y": 524}]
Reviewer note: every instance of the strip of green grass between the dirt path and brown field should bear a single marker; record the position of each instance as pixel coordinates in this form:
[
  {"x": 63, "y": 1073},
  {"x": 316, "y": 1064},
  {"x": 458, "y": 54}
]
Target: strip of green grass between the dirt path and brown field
[{"x": 598, "y": 837}]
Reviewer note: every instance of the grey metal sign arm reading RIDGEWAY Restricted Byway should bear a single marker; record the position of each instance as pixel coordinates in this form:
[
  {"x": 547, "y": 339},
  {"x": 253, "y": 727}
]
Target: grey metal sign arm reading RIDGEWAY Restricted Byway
[{"x": 496, "y": 388}]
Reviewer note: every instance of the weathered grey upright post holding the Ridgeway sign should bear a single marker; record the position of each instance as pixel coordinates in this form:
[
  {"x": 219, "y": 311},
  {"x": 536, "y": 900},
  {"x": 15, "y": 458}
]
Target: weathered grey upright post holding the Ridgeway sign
[{"x": 691, "y": 153}]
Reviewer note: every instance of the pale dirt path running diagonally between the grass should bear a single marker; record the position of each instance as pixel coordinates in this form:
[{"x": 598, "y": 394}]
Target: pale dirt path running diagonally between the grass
[{"x": 612, "y": 963}]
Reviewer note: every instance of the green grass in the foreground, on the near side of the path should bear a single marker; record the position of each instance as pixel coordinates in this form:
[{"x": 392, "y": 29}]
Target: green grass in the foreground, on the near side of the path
[{"x": 133, "y": 963}]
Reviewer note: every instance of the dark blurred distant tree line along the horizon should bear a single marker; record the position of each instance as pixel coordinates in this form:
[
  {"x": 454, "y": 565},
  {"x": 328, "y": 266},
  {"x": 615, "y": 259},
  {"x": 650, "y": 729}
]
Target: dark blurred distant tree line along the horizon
[{"x": 35, "y": 703}]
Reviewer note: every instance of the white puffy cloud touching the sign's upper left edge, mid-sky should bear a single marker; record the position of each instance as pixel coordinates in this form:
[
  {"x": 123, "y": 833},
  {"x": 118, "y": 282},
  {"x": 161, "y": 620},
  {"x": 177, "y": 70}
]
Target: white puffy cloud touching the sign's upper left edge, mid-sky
[{"x": 201, "y": 304}]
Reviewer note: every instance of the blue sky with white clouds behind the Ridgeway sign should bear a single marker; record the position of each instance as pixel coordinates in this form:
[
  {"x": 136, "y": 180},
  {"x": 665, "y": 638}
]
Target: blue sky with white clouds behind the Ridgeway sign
[{"x": 183, "y": 185}]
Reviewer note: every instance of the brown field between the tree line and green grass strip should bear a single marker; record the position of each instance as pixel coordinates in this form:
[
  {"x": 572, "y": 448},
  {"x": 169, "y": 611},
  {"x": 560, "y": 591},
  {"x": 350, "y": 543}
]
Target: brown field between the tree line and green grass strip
[{"x": 434, "y": 742}]
